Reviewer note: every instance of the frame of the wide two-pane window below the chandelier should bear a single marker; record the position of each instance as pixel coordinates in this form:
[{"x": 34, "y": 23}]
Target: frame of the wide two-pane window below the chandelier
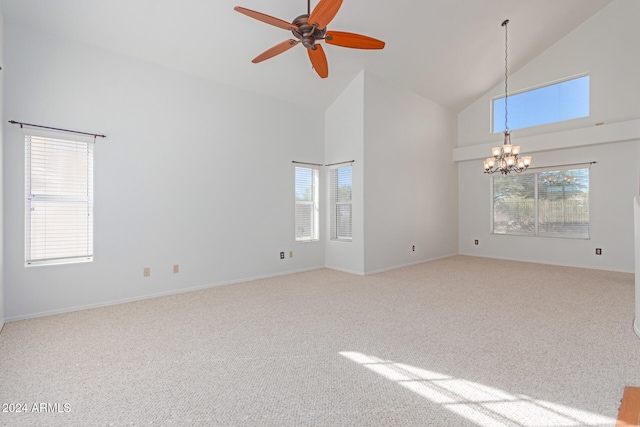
[{"x": 536, "y": 196}]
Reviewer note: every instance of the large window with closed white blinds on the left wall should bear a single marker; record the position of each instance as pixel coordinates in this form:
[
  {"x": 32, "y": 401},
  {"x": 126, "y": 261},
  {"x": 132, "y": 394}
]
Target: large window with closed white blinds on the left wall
[{"x": 58, "y": 200}]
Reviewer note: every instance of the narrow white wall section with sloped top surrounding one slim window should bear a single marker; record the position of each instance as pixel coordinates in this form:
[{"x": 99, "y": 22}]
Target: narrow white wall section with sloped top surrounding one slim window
[{"x": 344, "y": 141}]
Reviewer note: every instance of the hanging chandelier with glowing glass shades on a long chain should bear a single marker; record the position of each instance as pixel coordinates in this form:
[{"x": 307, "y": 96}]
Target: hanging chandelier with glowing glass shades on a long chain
[{"x": 505, "y": 159}]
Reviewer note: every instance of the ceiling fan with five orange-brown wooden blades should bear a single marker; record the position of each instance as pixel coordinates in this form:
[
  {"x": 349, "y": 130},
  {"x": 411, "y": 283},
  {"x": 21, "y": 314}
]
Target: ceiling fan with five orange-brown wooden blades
[{"x": 310, "y": 28}]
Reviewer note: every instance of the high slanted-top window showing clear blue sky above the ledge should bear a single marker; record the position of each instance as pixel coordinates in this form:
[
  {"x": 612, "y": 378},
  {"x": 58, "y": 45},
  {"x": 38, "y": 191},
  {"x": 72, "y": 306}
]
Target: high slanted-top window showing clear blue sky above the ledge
[{"x": 552, "y": 103}]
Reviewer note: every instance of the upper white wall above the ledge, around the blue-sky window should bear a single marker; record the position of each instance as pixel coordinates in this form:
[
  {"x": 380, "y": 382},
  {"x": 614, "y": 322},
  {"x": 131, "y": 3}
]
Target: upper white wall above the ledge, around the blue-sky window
[{"x": 605, "y": 46}]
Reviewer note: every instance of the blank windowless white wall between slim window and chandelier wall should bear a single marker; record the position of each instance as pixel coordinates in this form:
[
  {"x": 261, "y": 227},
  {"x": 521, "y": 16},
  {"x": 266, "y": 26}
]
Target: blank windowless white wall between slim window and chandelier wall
[{"x": 410, "y": 200}]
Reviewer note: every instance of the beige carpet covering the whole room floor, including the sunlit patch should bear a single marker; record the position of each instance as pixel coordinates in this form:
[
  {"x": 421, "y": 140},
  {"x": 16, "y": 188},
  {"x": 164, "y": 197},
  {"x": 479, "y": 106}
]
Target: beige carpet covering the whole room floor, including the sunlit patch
[{"x": 445, "y": 343}]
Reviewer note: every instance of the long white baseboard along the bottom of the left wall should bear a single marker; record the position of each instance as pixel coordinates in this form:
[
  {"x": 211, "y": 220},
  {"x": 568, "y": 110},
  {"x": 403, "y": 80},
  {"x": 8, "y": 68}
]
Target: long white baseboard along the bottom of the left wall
[{"x": 154, "y": 295}]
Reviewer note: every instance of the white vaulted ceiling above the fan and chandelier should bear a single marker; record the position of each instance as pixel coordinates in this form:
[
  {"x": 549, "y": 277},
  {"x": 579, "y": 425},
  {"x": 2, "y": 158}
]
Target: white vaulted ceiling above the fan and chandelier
[{"x": 449, "y": 51}]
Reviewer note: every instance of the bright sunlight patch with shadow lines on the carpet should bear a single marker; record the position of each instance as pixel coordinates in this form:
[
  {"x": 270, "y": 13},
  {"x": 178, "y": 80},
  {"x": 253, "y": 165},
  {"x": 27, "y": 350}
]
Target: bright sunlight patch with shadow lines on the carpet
[{"x": 484, "y": 405}]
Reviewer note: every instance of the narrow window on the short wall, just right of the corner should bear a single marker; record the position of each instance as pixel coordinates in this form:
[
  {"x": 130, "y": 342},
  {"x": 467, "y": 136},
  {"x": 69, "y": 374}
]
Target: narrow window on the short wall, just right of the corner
[{"x": 341, "y": 208}]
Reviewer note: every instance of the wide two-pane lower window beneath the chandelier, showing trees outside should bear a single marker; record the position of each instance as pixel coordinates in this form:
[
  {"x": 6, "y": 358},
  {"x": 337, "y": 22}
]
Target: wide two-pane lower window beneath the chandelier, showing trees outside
[{"x": 552, "y": 203}]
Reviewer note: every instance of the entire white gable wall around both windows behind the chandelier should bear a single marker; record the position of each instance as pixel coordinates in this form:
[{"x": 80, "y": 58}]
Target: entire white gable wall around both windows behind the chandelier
[{"x": 605, "y": 46}]
